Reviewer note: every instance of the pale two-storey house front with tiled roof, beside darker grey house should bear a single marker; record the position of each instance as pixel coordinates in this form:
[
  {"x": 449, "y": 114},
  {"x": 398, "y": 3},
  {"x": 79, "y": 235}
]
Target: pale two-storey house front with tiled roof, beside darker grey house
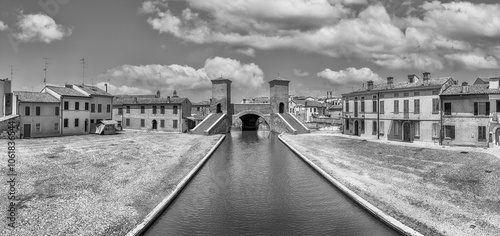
[{"x": 75, "y": 109}]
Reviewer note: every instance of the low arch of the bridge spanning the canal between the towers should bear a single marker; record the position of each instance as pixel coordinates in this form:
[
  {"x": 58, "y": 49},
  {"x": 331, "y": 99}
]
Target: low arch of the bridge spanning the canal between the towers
[{"x": 251, "y": 120}]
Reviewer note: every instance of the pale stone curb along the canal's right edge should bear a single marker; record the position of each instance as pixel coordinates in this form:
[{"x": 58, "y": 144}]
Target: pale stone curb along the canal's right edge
[{"x": 389, "y": 220}]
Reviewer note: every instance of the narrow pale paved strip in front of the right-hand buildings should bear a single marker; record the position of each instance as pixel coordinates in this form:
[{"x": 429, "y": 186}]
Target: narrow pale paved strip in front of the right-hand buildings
[{"x": 495, "y": 150}]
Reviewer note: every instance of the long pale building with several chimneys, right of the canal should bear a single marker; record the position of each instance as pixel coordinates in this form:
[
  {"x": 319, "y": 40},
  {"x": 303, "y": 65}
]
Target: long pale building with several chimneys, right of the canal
[{"x": 406, "y": 111}]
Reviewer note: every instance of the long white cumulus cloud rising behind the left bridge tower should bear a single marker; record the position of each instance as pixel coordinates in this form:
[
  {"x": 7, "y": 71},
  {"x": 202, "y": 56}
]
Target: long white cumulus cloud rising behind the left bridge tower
[{"x": 147, "y": 78}]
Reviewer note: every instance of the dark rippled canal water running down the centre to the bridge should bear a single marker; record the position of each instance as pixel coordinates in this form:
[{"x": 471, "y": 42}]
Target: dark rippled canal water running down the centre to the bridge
[{"x": 254, "y": 185}]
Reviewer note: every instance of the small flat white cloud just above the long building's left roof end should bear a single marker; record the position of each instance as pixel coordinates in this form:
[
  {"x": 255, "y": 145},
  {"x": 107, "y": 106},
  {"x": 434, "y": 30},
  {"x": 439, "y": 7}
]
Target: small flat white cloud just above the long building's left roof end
[{"x": 350, "y": 75}]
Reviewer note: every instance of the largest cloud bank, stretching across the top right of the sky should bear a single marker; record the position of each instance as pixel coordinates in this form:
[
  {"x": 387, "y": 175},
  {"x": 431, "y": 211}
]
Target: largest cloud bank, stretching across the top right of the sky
[{"x": 390, "y": 33}]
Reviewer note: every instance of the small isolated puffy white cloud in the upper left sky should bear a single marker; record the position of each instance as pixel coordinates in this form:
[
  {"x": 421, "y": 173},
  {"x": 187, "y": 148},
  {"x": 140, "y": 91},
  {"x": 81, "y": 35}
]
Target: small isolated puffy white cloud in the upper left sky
[{"x": 39, "y": 28}]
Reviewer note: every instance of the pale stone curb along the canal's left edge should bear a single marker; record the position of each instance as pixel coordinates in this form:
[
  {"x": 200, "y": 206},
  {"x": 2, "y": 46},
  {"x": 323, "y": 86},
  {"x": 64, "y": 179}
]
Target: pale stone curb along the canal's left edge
[{"x": 158, "y": 210}]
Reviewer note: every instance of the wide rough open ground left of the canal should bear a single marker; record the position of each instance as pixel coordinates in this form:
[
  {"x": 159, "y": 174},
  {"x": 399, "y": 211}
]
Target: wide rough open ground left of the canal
[{"x": 97, "y": 185}]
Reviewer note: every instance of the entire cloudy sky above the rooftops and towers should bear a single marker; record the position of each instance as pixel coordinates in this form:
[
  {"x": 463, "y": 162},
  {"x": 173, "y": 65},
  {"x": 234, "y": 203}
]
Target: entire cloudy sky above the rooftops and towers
[{"x": 139, "y": 47}]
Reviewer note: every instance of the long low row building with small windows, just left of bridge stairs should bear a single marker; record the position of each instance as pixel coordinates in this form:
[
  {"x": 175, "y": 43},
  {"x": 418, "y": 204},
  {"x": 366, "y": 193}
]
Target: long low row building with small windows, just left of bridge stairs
[{"x": 153, "y": 113}]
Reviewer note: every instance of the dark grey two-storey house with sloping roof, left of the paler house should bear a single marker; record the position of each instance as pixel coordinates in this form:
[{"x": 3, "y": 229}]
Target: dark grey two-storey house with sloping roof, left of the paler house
[{"x": 39, "y": 114}]
